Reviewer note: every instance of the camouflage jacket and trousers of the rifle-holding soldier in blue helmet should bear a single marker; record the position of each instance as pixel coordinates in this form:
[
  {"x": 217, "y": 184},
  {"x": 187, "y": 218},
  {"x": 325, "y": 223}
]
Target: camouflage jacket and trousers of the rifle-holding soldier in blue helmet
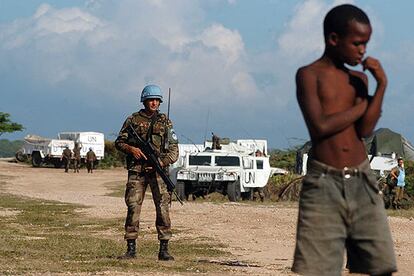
[{"x": 140, "y": 175}]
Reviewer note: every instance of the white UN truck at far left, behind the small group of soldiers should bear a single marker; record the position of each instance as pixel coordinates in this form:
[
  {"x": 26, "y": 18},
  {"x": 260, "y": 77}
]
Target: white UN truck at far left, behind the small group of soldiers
[{"x": 43, "y": 150}]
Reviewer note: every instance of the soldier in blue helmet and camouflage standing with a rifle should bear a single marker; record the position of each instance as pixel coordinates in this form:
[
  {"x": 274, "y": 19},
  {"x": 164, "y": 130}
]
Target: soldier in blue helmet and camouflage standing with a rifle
[{"x": 156, "y": 128}]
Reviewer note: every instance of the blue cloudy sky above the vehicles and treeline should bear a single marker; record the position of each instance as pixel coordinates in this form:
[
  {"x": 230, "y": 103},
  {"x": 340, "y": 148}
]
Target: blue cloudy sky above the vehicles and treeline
[{"x": 80, "y": 65}]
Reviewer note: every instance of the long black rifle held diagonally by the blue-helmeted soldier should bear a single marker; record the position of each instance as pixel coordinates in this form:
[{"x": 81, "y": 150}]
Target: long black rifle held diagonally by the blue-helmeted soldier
[{"x": 152, "y": 158}]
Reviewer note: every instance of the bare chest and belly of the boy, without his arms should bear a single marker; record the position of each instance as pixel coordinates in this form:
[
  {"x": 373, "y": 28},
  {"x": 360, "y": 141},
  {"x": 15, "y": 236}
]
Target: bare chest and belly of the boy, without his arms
[{"x": 338, "y": 90}]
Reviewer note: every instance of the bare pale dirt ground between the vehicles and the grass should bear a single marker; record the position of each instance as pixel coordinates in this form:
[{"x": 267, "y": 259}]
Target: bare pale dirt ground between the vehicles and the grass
[{"x": 263, "y": 234}]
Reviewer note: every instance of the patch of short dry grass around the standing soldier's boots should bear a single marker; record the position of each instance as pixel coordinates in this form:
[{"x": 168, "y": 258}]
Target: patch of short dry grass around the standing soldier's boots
[{"x": 38, "y": 236}]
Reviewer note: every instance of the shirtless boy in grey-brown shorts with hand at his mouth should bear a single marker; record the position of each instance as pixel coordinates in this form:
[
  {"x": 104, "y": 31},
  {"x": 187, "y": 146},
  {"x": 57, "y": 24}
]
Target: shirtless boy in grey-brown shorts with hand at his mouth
[{"x": 340, "y": 207}]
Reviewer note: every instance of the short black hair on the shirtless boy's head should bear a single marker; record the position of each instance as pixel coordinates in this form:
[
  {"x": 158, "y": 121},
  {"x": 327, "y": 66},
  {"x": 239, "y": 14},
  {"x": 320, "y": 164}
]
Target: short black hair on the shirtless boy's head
[{"x": 337, "y": 19}]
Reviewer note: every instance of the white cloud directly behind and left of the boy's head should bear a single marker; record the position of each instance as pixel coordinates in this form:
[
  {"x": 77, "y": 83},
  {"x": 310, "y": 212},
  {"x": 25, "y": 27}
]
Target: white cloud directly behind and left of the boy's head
[{"x": 300, "y": 43}]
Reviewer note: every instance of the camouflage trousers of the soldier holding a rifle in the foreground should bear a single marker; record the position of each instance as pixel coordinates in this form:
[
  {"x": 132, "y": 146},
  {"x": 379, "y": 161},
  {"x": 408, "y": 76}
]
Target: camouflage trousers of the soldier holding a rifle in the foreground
[{"x": 134, "y": 196}]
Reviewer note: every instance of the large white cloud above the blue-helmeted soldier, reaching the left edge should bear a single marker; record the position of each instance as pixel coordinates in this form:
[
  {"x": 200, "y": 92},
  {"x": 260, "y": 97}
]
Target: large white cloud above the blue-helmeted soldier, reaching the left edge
[{"x": 138, "y": 42}]
